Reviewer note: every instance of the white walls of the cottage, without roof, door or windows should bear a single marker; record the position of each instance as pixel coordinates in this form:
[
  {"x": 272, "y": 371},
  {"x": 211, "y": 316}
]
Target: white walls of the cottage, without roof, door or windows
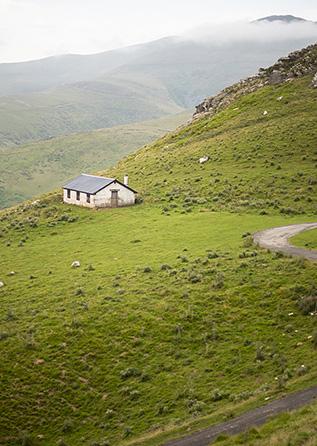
[{"x": 102, "y": 198}]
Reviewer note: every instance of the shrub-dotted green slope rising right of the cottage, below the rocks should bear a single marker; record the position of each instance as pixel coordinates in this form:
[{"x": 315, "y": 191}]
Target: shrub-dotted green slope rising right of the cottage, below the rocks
[{"x": 261, "y": 163}]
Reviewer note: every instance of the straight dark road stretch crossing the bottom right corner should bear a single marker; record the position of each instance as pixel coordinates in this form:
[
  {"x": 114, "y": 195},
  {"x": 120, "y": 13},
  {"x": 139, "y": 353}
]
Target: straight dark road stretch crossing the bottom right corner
[{"x": 255, "y": 417}]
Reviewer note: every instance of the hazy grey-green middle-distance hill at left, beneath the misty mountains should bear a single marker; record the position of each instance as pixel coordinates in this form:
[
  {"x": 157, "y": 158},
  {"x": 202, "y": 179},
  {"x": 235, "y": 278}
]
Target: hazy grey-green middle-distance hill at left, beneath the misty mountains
[{"x": 79, "y": 108}]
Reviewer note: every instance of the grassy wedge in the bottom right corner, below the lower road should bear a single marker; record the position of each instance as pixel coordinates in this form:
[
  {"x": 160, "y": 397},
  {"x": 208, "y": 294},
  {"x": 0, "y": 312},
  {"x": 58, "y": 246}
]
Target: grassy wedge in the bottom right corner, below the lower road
[{"x": 292, "y": 429}]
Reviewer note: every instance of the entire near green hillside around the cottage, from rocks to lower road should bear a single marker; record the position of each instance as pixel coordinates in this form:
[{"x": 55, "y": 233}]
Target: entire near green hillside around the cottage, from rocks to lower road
[{"x": 174, "y": 319}]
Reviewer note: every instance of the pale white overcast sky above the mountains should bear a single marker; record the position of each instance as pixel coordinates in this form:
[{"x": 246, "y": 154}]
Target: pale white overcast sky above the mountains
[{"x": 32, "y": 29}]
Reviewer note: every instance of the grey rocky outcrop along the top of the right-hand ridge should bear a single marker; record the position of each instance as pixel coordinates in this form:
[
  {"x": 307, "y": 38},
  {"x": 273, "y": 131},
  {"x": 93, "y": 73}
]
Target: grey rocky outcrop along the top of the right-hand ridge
[{"x": 296, "y": 64}]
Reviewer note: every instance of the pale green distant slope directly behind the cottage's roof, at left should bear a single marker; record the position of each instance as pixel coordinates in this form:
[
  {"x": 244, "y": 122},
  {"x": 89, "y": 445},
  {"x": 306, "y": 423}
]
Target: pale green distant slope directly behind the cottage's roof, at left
[{"x": 28, "y": 170}]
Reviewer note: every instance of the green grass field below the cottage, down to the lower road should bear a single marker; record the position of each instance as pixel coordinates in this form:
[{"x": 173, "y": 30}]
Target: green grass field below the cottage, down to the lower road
[{"x": 85, "y": 352}]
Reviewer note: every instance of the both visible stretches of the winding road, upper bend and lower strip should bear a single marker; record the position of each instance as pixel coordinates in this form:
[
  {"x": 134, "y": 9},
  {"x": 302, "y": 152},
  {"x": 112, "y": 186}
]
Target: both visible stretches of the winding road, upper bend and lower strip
[{"x": 274, "y": 239}]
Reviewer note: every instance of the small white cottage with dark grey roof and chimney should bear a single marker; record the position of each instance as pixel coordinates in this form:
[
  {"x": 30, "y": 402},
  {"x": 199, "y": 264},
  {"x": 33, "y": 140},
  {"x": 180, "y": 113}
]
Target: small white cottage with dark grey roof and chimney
[{"x": 98, "y": 192}]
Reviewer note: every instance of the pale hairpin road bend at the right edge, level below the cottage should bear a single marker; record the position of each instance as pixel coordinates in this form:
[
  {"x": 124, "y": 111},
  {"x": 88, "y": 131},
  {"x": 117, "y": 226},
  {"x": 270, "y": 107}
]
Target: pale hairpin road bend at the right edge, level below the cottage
[{"x": 276, "y": 239}]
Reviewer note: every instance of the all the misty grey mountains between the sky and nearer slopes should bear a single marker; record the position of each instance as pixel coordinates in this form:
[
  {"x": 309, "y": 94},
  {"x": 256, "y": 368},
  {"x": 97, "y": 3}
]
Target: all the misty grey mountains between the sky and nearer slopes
[{"x": 62, "y": 95}]
